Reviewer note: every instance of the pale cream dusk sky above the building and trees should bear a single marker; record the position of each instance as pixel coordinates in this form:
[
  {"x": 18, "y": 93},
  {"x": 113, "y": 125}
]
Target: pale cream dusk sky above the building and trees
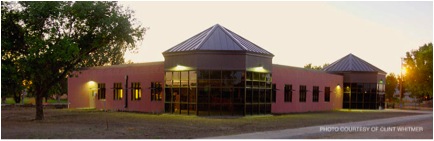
[{"x": 297, "y": 33}]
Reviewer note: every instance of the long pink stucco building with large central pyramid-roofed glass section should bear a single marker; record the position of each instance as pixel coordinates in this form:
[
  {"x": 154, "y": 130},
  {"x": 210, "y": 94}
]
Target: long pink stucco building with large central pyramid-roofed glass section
[{"x": 216, "y": 72}]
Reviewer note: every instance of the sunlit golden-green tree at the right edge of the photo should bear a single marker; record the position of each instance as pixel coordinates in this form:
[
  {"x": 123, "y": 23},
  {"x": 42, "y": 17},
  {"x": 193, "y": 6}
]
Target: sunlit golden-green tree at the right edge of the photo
[{"x": 418, "y": 76}]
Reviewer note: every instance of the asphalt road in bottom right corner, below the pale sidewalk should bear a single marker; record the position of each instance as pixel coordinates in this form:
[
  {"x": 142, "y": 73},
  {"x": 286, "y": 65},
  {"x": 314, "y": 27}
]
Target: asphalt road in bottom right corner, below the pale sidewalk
[{"x": 422, "y": 129}]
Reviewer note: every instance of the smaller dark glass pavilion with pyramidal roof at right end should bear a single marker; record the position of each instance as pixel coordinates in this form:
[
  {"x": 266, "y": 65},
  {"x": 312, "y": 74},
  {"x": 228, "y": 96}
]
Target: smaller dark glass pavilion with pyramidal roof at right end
[{"x": 364, "y": 83}]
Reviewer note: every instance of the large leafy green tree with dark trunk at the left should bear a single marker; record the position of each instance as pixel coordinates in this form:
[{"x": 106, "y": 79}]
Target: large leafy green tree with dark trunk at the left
[{"x": 50, "y": 41}]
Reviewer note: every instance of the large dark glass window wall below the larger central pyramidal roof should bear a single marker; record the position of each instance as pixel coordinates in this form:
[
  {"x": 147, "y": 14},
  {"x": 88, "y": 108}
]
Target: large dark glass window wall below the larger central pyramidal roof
[{"x": 216, "y": 92}]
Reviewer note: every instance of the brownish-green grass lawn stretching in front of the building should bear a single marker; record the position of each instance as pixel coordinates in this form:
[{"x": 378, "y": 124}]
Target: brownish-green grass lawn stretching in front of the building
[{"x": 17, "y": 123}]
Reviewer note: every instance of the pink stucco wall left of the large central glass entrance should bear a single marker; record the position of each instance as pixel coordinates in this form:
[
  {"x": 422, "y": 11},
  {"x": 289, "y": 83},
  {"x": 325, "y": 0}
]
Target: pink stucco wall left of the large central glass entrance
[{"x": 80, "y": 92}]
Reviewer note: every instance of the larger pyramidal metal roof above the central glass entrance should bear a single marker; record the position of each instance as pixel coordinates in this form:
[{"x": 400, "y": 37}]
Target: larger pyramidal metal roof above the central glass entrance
[{"x": 217, "y": 38}]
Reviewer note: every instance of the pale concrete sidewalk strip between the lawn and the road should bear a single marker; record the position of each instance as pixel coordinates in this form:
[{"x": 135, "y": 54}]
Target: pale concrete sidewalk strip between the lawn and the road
[{"x": 315, "y": 130}]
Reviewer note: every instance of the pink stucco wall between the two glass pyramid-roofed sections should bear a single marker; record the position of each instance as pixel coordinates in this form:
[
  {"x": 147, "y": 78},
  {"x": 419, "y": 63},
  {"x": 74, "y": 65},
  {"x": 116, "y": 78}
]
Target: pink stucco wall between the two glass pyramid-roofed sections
[{"x": 297, "y": 76}]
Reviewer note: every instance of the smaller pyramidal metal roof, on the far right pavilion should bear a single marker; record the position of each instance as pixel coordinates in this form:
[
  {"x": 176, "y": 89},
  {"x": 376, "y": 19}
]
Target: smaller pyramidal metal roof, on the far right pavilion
[{"x": 352, "y": 63}]
